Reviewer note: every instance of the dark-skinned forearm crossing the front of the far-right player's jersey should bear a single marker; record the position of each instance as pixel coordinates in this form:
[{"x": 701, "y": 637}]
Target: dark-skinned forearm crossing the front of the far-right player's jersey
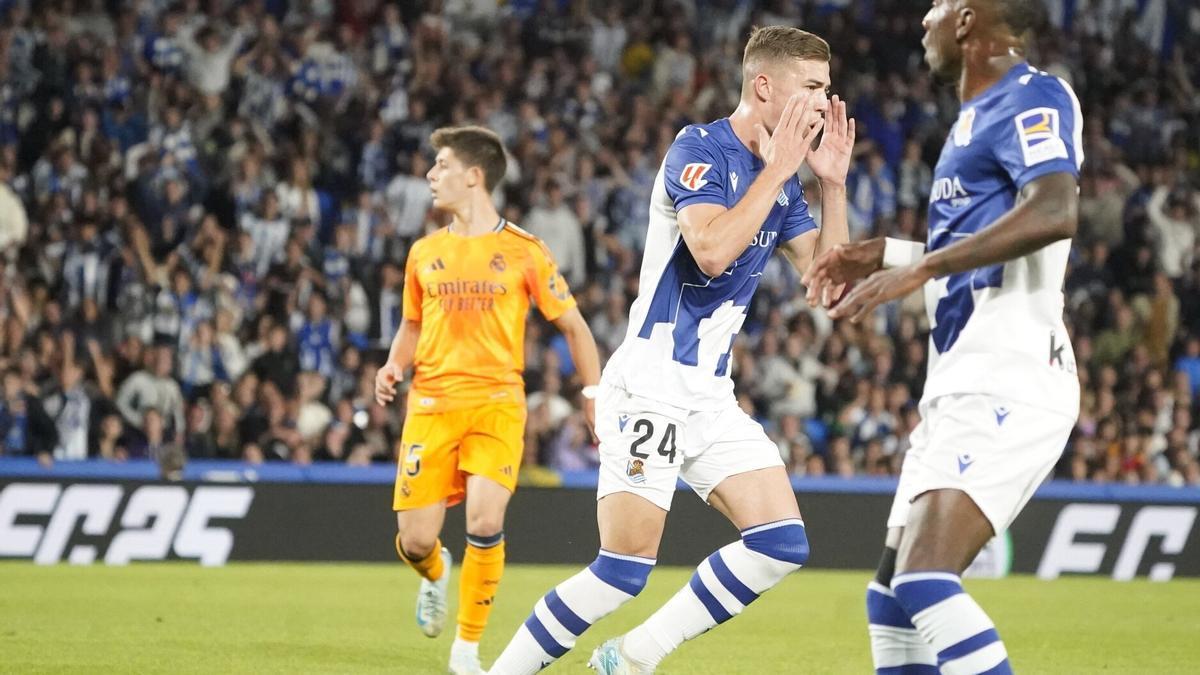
[{"x": 1048, "y": 216}]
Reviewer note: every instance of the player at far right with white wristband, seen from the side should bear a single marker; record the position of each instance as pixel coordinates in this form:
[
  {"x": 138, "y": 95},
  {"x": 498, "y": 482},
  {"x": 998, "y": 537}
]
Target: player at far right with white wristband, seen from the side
[{"x": 1001, "y": 395}]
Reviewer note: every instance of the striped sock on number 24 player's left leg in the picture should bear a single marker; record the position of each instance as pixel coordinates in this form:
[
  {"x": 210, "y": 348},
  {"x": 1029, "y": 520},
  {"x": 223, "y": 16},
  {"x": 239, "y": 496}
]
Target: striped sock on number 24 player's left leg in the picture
[{"x": 572, "y": 608}]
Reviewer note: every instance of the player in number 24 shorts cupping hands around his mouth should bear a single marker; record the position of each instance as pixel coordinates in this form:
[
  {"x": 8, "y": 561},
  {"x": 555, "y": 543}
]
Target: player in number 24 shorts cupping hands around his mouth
[{"x": 725, "y": 201}]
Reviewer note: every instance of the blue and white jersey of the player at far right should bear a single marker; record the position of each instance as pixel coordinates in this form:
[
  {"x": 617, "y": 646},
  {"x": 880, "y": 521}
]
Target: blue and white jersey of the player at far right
[{"x": 999, "y": 330}]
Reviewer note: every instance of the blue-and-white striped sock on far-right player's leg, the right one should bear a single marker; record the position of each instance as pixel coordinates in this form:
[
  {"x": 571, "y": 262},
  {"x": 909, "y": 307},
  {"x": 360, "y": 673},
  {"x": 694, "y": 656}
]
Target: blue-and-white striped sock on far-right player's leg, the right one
[{"x": 947, "y": 618}]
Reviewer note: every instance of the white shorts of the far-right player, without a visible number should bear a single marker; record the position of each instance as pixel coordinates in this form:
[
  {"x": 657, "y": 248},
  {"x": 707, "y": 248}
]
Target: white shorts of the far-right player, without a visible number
[{"x": 994, "y": 450}]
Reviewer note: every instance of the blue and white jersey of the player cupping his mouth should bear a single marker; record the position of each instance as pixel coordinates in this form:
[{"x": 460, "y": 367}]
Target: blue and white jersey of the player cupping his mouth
[{"x": 683, "y": 324}]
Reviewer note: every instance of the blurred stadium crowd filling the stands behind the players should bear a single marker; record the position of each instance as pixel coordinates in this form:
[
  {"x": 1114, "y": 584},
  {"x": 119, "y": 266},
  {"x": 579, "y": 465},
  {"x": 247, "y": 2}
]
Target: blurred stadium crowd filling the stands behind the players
[{"x": 206, "y": 210}]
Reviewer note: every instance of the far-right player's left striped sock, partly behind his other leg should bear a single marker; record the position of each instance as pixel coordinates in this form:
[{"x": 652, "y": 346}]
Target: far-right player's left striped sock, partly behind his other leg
[{"x": 897, "y": 648}]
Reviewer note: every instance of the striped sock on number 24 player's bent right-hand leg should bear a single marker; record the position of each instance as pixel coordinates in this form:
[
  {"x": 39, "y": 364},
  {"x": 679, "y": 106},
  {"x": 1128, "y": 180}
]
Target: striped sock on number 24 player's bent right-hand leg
[{"x": 721, "y": 589}]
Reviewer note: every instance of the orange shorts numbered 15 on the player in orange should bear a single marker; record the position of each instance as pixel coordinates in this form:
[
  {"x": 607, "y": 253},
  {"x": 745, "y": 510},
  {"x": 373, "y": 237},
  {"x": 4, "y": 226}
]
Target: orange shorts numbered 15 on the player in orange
[{"x": 439, "y": 451}]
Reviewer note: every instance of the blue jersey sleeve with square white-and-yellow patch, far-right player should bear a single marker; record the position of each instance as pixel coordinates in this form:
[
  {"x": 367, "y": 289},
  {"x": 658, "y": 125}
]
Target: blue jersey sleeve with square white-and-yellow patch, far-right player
[{"x": 1045, "y": 134}]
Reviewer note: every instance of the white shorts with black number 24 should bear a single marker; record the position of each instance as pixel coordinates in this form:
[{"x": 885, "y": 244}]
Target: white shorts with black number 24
[{"x": 645, "y": 446}]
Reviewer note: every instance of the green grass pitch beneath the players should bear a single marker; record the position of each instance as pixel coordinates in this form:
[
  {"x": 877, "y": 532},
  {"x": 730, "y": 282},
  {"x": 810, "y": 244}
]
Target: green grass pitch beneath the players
[{"x": 179, "y": 618}]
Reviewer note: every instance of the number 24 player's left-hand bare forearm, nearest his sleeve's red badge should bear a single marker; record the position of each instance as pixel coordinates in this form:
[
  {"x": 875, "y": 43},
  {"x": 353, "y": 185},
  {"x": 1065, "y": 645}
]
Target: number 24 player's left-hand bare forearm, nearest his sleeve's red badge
[{"x": 719, "y": 243}]
